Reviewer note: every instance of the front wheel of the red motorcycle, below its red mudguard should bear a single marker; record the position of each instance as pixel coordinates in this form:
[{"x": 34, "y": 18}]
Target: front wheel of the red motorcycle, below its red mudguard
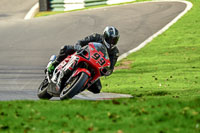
[{"x": 74, "y": 87}]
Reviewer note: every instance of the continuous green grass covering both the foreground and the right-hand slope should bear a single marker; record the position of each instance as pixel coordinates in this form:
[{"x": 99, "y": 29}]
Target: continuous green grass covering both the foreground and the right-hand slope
[{"x": 164, "y": 78}]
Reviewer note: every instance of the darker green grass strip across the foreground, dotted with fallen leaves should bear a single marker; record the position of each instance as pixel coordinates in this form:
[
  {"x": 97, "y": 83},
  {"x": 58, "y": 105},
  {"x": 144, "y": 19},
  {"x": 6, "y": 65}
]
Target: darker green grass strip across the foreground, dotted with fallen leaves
[{"x": 159, "y": 115}]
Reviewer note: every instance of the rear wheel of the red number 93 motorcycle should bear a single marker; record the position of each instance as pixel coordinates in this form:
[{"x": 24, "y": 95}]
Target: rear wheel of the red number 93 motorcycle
[{"x": 42, "y": 90}]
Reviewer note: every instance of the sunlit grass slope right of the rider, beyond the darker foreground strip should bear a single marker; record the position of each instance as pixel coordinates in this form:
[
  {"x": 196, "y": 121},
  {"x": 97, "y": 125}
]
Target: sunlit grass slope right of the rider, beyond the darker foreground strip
[{"x": 169, "y": 65}]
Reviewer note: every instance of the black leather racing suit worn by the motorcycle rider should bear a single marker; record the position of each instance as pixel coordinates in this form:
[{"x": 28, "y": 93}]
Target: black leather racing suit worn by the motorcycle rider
[{"x": 68, "y": 50}]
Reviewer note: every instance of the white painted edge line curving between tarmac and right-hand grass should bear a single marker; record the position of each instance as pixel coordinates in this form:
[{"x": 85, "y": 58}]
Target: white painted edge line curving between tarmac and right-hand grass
[{"x": 189, "y": 6}]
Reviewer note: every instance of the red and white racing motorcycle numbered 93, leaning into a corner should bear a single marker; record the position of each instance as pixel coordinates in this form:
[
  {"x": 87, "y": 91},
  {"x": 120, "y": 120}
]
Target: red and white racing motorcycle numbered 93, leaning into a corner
[{"x": 75, "y": 73}]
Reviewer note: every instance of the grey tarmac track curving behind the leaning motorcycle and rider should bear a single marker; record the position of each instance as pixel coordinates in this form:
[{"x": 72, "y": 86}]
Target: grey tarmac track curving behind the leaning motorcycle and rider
[{"x": 25, "y": 46}]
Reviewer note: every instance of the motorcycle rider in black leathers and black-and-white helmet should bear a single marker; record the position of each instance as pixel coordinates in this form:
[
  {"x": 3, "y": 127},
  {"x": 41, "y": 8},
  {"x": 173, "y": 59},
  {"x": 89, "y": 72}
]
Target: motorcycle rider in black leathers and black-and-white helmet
[{"x": 109, "y": 39}]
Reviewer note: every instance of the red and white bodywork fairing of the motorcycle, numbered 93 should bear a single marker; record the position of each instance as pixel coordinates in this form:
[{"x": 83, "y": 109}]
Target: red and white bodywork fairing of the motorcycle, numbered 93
[{"x": 90, "y": 55}]
